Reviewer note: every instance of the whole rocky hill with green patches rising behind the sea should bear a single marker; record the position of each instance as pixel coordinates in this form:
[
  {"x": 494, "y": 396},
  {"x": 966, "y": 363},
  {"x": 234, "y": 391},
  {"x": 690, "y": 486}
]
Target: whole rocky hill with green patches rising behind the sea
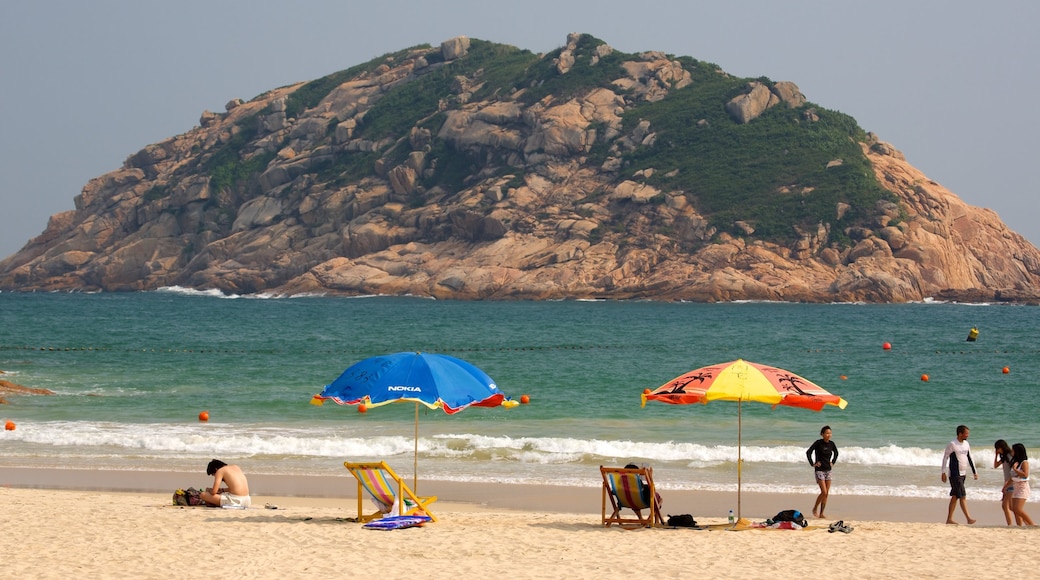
[{"x": 478, "y": 171}]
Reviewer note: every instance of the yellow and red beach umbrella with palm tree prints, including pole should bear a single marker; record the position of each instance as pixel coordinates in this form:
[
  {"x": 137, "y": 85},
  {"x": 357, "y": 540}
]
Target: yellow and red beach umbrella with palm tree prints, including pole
[{"x": 741, "y": 381}]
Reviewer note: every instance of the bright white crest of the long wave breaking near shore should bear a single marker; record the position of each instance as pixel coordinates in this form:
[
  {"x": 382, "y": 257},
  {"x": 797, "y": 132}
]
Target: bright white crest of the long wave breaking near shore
[{"x": 339, "y": 442}]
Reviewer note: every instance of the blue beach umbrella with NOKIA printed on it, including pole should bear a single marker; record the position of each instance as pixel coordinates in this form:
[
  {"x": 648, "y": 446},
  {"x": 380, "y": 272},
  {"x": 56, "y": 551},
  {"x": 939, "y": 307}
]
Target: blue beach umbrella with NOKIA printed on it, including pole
[{"x": 436, "y": 381}]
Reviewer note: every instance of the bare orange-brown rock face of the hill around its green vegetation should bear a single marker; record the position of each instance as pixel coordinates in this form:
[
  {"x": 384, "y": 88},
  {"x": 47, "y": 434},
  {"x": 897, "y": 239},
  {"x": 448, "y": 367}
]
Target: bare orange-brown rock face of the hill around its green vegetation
[{"x": 547, "y": 228}]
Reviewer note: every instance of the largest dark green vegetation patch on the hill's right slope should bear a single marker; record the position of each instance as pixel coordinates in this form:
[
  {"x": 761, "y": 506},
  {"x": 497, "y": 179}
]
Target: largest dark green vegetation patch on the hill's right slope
[{"x": 772, "y": 173}]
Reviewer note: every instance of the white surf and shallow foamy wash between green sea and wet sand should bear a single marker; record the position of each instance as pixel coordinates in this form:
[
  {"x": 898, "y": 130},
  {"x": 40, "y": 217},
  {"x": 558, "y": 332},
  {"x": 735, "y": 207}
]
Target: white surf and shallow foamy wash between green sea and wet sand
[{"x": 463, "y": 457}]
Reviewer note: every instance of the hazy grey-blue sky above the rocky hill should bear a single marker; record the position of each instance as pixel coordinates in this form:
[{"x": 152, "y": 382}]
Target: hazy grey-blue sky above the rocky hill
[{"x": 951, "y": 84}]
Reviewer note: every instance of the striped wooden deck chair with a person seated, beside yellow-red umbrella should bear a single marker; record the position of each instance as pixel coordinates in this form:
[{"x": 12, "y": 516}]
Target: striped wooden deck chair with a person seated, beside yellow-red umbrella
[{"x": 632, "y": 489}]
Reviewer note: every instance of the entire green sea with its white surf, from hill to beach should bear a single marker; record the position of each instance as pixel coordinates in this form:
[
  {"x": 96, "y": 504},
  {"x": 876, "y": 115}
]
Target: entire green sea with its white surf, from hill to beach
[{"x": 133, "y": 372}]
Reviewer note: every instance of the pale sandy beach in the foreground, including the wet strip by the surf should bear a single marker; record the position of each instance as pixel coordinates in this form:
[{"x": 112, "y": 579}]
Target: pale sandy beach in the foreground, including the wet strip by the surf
[{"x": 93, "y": 524}]
